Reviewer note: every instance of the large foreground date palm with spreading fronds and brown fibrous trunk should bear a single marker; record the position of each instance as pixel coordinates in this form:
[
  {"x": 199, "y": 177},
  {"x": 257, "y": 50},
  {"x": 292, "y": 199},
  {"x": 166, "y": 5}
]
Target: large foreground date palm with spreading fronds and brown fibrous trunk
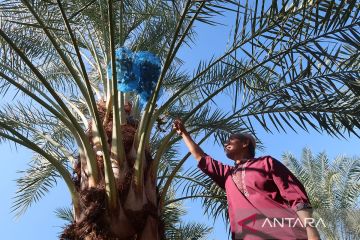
[{"x": 293, "y": 63}]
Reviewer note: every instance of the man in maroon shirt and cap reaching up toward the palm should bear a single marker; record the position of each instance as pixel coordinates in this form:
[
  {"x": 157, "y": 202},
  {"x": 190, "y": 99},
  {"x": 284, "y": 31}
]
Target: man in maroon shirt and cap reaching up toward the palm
[{"x": 265, "y": 200}]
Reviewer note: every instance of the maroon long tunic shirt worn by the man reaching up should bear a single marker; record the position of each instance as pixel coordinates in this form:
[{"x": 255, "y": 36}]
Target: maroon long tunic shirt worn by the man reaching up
[{"x": 263, "y": 197}]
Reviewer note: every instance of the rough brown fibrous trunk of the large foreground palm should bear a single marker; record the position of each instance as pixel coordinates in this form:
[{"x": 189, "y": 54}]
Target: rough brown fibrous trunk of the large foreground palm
[{"x": 137, "y": 216}]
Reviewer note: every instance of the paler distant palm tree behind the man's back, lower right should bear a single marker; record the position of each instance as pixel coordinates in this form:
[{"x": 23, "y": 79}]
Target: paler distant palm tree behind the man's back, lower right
[{"x": 333, "y": 189}]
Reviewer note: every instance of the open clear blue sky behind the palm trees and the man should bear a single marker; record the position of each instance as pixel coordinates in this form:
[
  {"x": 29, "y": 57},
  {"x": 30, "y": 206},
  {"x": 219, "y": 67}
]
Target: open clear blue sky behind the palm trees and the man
[{"x": 40, "y": 222}]
